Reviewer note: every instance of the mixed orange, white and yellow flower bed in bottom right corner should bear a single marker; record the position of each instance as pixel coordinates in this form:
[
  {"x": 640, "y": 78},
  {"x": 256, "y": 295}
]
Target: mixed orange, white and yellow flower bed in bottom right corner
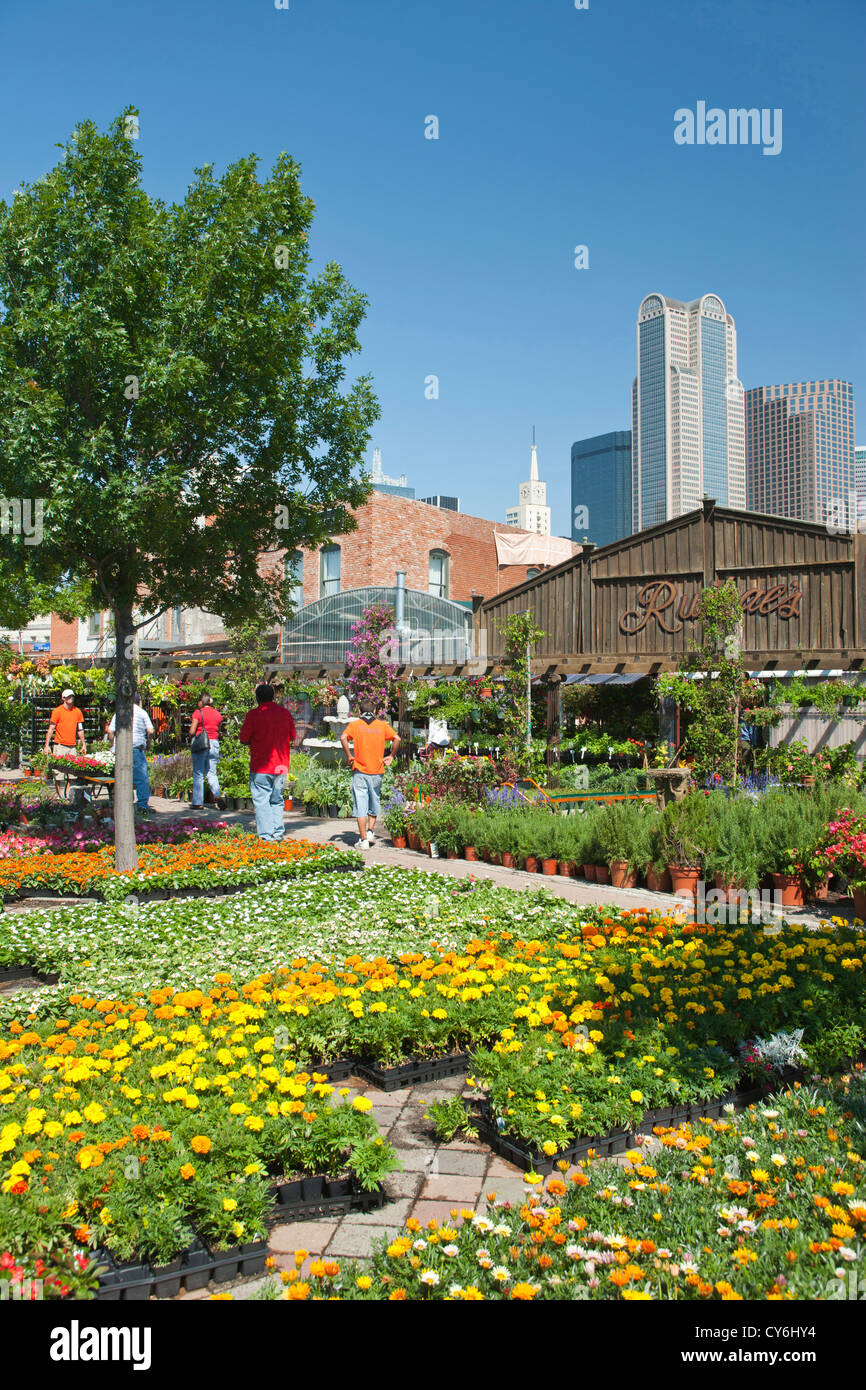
[{"x": 769, "y": 1204}]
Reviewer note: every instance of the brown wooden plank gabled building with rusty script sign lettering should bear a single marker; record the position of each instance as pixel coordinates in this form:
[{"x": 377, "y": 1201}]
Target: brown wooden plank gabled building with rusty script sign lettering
[{"x": 630, "y": 607}]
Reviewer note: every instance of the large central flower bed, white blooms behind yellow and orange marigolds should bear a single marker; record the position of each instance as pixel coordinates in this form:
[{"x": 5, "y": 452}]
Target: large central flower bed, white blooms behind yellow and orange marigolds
[{"x": 580, "y": 1024}]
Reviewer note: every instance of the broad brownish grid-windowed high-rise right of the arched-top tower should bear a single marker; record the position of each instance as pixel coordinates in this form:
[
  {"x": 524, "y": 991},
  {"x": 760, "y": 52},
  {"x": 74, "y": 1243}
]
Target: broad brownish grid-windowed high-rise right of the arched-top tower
[{"x": 800, "y": 448}]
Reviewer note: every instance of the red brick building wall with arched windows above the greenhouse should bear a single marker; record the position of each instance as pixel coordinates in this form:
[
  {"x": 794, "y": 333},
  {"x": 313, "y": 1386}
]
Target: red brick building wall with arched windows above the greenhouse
[{"x": 400, "y": 533}]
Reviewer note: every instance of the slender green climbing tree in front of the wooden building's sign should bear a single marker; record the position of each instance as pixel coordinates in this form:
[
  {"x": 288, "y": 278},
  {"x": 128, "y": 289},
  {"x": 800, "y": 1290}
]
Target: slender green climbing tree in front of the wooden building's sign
[{"x": 712, "y": 683}]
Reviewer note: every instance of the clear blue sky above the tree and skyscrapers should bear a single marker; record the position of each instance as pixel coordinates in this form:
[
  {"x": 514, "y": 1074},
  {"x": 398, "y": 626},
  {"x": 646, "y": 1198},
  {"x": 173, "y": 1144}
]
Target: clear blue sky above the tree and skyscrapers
[{"x": 555, "y": 130}]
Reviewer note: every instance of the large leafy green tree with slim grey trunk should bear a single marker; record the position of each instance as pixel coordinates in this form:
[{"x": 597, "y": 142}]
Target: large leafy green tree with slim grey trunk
[{"x": 170, "y": 393}]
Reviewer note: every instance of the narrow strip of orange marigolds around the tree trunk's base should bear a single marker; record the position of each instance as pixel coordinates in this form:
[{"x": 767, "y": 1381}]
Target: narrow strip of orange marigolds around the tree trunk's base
[{"x": 224, "y": 862}]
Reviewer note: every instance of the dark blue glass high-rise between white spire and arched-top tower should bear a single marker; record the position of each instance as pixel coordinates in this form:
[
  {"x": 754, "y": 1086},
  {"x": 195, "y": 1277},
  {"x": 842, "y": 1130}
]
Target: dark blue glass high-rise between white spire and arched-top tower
[{"x": 601, "y": 489}]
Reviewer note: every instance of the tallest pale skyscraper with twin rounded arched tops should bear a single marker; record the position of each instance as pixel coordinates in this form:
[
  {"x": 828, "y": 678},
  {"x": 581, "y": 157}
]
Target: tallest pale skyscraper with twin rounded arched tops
[{"x": 687, "y": 414}]
